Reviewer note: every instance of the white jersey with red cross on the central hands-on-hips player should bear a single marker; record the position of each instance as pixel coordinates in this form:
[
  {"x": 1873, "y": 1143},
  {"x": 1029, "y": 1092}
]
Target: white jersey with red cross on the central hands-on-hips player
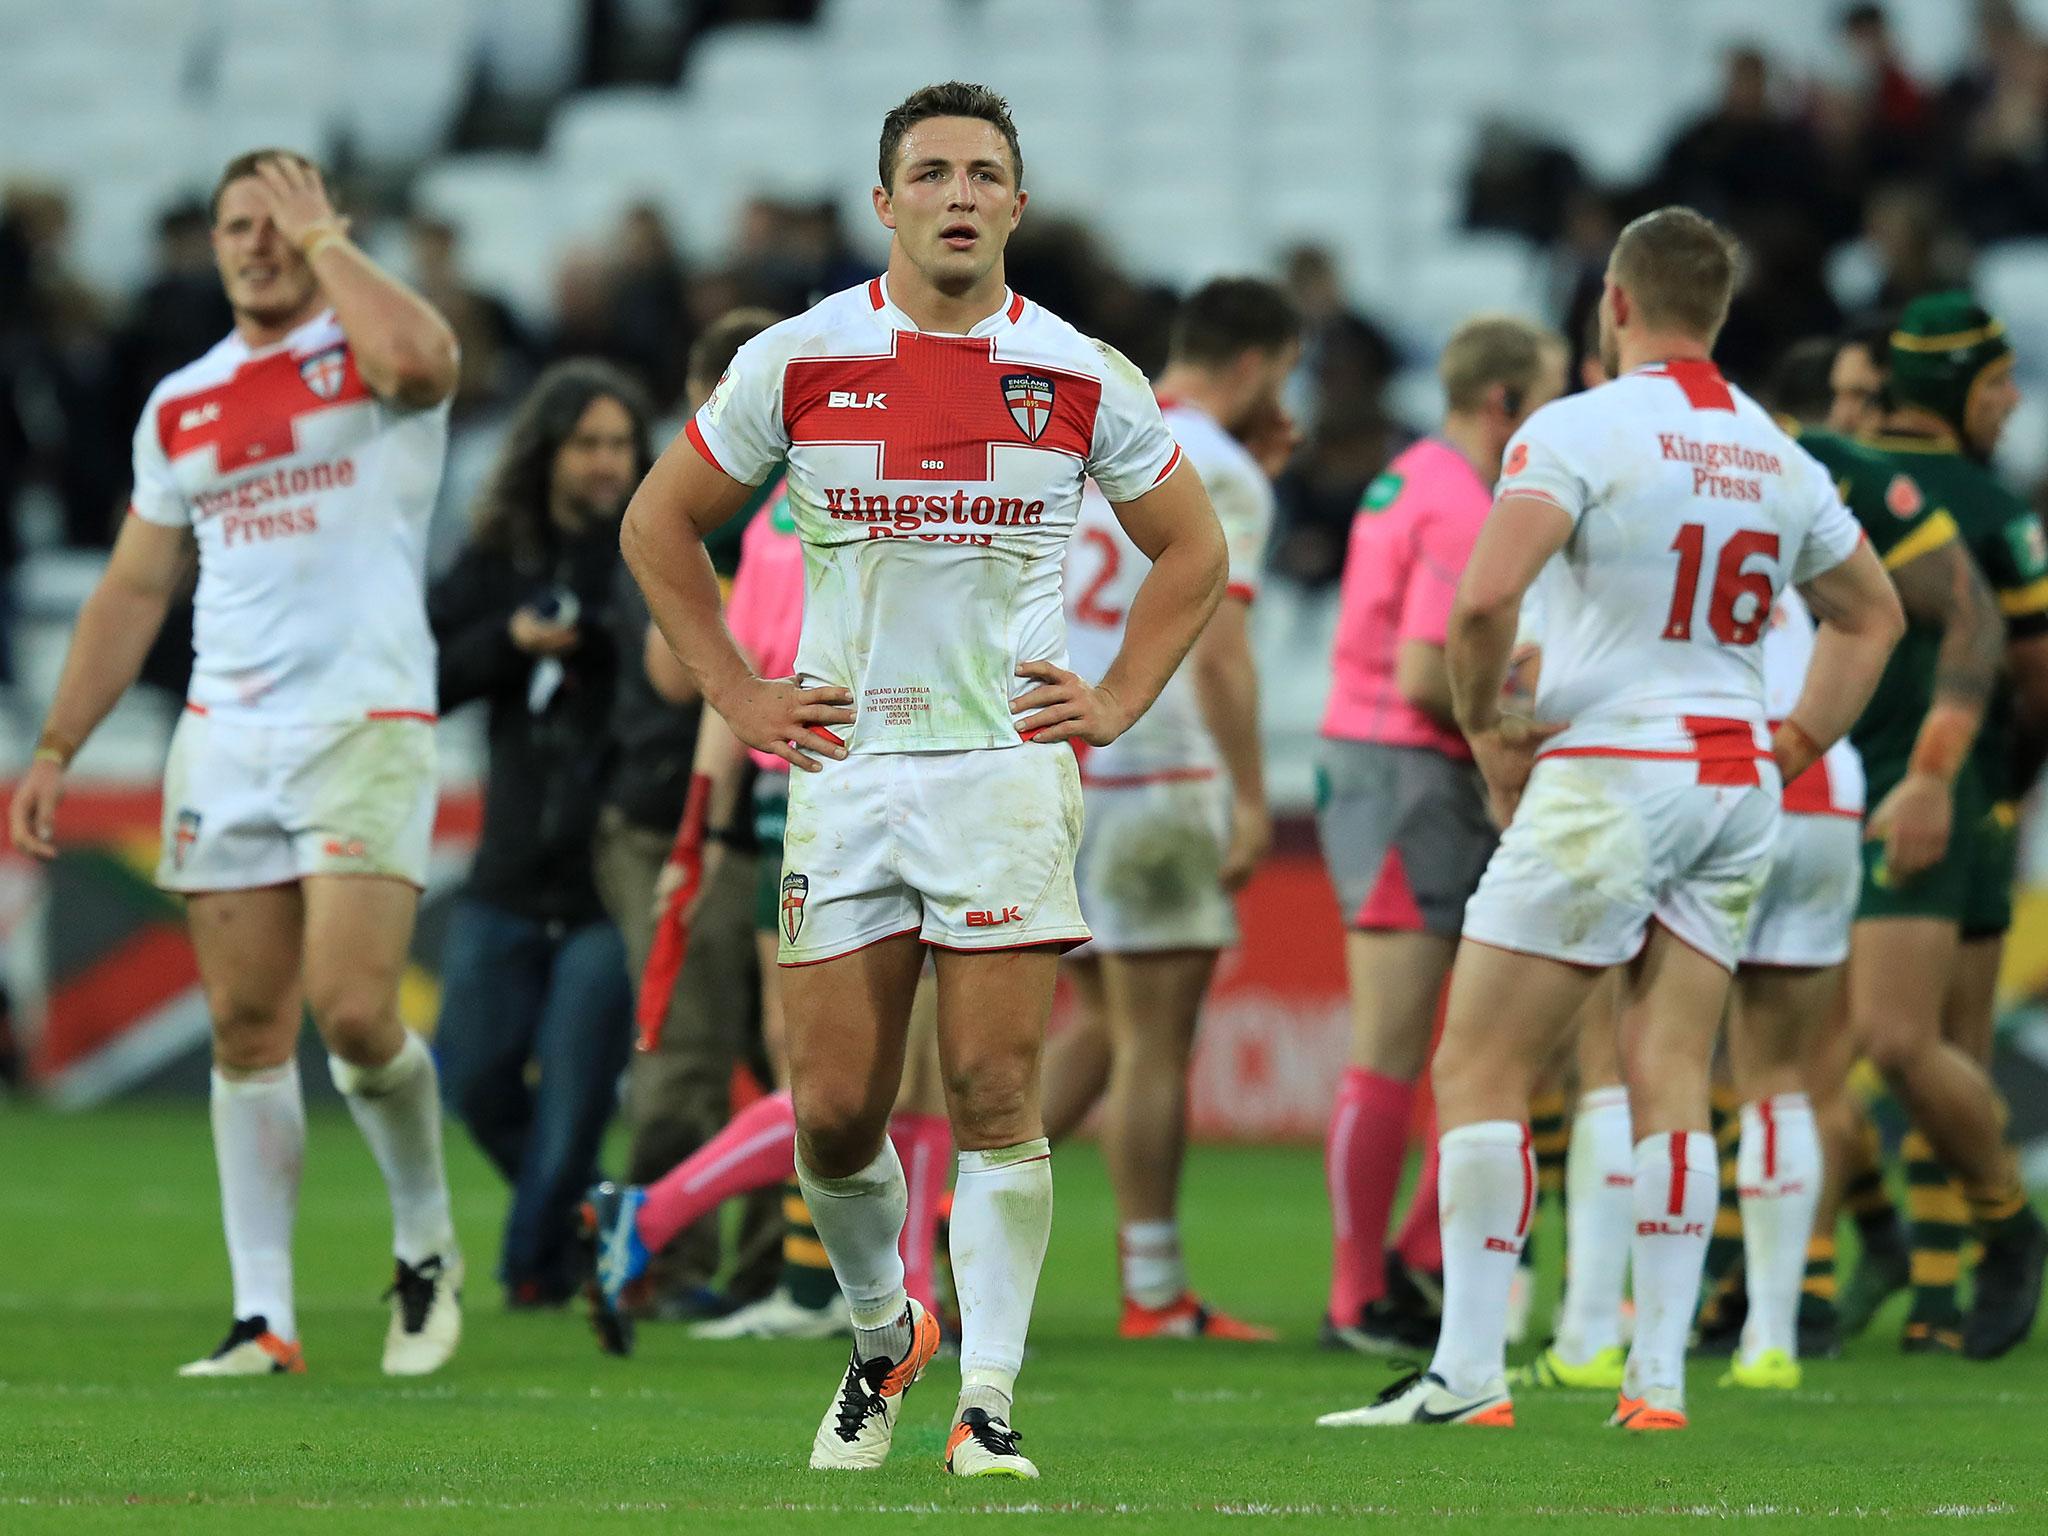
[{"x": 935, "y": 482}]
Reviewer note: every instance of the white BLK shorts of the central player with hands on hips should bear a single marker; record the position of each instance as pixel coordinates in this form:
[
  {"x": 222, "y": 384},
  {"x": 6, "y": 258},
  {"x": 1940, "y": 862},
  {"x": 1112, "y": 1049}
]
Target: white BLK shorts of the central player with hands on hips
[{"x": 968, "y": 851}]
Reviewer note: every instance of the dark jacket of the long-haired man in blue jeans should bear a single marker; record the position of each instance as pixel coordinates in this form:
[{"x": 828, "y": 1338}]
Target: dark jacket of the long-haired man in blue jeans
[{"x": 548, "y": 765}]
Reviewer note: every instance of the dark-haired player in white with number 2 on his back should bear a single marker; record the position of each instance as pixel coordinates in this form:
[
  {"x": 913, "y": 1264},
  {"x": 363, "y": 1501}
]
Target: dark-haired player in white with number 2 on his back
[{"x": 1177, "y": 808}]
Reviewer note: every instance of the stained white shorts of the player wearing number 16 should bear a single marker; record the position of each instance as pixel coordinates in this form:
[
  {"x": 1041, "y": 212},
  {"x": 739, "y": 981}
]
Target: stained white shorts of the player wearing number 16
[{"x": 1605, "y": 847}]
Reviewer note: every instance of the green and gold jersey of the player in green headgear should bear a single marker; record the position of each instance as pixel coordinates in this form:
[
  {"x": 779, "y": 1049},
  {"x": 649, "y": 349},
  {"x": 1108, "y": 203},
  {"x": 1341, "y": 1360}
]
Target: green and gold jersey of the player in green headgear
[{"x": 2008, "y": 546}]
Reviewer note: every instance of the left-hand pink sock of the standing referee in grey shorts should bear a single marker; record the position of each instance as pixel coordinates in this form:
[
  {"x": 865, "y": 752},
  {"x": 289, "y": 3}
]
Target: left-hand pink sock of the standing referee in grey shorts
[{"x": 1363, "y": 1160}]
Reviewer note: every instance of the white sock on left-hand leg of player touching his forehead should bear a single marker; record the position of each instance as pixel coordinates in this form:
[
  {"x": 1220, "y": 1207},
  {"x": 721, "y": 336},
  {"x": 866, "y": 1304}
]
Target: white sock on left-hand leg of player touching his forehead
[{"x": 259, "y": 1142}]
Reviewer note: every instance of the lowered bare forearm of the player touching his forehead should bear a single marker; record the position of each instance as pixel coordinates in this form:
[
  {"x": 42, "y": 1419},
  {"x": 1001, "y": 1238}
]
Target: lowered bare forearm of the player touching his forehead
[{"x": 118, "y": 626}]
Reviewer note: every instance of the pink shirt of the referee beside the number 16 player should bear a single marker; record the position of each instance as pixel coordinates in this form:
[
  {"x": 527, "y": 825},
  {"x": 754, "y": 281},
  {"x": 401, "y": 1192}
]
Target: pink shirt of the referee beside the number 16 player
[{"x": 1410, "y": 544}]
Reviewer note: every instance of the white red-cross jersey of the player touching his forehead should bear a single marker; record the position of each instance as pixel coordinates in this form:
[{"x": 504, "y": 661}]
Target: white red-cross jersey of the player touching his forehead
[{"x": 310, "y": 501}]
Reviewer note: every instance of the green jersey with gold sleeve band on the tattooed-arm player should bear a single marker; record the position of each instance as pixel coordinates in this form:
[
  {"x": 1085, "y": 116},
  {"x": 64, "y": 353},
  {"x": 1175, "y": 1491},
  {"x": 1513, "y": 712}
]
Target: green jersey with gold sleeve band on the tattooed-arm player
[{"x": 1904, "y": 523}]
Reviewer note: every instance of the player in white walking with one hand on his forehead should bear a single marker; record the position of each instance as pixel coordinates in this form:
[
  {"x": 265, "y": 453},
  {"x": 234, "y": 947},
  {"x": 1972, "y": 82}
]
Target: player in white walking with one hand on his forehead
[{"x": 298, "y": 462}]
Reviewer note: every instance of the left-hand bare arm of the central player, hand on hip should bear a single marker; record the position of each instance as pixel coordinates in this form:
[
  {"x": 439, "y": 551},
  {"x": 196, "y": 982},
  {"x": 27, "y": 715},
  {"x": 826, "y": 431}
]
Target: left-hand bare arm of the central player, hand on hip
[{"x": 663, "y": 540}]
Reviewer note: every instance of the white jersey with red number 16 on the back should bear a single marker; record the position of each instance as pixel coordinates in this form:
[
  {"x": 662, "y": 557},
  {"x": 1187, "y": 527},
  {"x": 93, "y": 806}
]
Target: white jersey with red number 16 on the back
[{"x": 1691, "y": 515}]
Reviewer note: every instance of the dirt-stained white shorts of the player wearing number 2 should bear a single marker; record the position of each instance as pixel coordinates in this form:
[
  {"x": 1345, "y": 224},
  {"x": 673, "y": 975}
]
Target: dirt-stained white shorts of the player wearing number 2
[{"x": 1150, "y": 869}]
